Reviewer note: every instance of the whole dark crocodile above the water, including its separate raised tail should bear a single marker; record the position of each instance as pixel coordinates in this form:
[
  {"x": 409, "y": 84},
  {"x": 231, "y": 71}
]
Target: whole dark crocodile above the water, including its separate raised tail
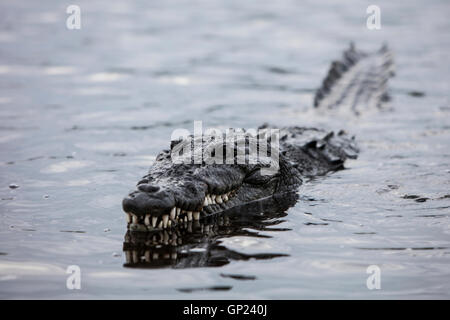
[{"x": 174, "y": 194}]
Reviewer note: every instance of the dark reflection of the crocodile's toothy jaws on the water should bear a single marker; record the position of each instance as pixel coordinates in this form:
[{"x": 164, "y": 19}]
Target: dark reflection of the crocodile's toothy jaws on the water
[{"x": 199, "y": 243}]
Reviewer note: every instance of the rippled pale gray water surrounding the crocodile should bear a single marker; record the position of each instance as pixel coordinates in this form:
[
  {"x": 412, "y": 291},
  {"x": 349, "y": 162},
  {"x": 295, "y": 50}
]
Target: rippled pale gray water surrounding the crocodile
[{"x": 84, "y": 112}]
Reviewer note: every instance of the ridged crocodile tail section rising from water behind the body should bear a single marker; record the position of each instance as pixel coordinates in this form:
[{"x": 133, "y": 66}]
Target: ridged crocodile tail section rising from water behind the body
[{"x": 358, "y": 81}]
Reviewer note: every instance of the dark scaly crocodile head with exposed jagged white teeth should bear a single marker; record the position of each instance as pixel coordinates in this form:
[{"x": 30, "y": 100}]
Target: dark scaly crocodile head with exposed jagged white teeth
[{"x": 177, "y": 190}]
